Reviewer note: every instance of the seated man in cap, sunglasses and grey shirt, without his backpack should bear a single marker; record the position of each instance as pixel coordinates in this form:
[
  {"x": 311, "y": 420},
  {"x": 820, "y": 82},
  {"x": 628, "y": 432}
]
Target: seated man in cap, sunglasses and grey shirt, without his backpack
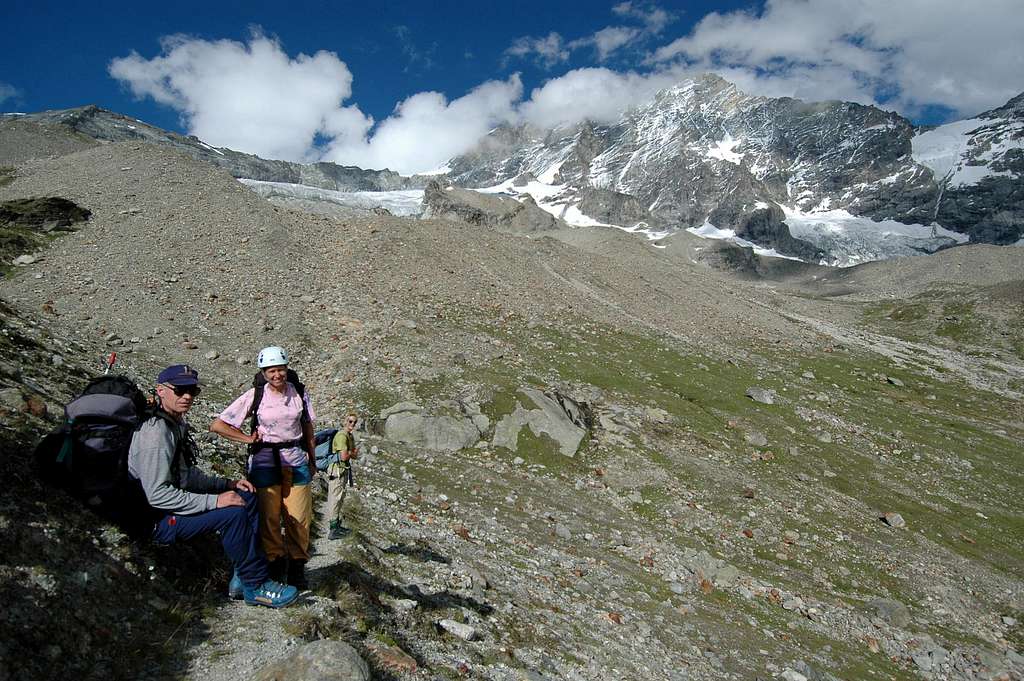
[{"x": 190, "y": 502}]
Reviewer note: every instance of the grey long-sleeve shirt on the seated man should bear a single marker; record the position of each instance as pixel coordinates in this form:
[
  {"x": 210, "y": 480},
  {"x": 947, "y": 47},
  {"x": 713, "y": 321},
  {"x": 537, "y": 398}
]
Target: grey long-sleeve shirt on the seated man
[{"x": 150, "y": 460}]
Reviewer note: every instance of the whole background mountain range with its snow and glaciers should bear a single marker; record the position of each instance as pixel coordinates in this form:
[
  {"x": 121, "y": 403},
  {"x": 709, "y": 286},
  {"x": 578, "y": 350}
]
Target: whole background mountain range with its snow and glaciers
[{"x": 832, "y": 182}]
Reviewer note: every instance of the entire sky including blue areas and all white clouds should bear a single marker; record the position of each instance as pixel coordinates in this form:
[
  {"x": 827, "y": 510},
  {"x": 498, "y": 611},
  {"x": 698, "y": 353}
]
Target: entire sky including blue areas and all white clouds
[{"x": 409, "y": 84}]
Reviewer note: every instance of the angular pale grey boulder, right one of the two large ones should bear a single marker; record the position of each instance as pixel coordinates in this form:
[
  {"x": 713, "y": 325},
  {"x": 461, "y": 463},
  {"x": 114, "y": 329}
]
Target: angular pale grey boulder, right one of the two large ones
[{"x": 558, "y": 416}]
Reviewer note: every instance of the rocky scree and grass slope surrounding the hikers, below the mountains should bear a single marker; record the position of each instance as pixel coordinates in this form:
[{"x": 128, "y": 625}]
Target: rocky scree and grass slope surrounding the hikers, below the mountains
[{"x": 584, "y": 457}]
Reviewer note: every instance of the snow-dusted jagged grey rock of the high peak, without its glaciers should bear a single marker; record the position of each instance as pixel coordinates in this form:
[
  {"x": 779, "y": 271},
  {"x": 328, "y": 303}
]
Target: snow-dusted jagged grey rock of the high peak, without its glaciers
[{"x": 704, "y": 149}]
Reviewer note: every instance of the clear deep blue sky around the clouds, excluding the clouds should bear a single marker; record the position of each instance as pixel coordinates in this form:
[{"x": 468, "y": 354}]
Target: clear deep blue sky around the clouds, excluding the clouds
[{"x": 56, "y": 55}]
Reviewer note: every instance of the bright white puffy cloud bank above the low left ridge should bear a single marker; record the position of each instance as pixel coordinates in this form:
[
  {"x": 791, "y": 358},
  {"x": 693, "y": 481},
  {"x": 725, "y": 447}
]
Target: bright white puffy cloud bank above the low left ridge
[{"x": 254, "y": 98}]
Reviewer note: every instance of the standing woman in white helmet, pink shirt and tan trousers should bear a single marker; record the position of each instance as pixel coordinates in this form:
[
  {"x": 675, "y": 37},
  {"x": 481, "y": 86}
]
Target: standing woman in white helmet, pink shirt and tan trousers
[{"x": 281, "y": 459}]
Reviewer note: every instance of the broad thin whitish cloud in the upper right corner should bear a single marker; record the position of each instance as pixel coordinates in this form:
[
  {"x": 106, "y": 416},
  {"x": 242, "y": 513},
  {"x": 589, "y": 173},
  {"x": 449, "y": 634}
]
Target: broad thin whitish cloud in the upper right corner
[{"x": 908, "y": 55}]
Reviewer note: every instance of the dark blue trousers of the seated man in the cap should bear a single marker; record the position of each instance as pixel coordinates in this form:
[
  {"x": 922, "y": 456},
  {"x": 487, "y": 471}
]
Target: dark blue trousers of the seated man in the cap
[{"x": 239, "y": 530}]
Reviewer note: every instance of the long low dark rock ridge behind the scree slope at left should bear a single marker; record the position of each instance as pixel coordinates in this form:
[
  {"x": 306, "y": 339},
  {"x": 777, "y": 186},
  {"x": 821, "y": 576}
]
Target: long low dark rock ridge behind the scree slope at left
[{"x": 102, "y": 124}]
